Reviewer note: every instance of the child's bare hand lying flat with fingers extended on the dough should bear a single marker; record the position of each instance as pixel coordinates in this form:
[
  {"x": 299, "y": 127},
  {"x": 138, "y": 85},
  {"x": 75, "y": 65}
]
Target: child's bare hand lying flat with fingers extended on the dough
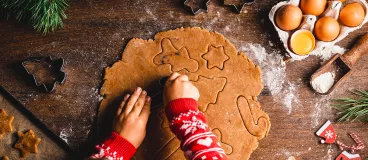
[{"x": 132, "y": 116}]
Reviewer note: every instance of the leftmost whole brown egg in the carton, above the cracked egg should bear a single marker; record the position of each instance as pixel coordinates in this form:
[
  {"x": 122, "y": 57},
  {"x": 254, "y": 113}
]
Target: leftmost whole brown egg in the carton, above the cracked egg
[{"x": 288, "y": 17}]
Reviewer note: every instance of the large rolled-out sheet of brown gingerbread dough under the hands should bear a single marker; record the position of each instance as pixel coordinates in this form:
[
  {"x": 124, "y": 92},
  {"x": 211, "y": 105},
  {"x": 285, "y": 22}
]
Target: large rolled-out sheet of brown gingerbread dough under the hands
[{"x": 228, "y": 87}]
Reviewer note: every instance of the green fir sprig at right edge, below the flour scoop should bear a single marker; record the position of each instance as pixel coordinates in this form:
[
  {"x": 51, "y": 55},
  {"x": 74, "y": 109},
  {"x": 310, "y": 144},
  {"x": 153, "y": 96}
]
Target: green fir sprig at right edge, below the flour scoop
[{"x": 351, "y": 109}]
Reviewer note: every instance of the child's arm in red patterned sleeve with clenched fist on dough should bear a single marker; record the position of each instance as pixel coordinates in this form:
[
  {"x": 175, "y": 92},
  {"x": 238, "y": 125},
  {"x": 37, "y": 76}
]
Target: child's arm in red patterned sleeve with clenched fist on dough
[{"x": 187, "y": 122}]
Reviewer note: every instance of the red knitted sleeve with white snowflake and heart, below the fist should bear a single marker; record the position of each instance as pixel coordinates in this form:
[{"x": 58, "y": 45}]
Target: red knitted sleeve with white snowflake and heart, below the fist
[{"x": 189, "y": 125}]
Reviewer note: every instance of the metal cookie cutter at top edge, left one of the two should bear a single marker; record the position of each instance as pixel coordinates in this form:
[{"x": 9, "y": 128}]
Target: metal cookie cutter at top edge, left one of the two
[{"x": 197, "y": 6}]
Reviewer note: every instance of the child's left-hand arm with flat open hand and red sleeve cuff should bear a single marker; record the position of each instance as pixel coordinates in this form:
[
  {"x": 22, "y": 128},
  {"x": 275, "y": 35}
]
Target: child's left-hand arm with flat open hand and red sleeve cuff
[{"x": 129, "y": 128}]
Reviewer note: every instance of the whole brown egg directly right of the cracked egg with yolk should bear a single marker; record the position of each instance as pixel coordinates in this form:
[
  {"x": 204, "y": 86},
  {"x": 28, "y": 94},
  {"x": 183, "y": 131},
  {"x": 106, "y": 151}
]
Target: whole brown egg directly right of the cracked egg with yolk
[{"x": 326, "y": 29}]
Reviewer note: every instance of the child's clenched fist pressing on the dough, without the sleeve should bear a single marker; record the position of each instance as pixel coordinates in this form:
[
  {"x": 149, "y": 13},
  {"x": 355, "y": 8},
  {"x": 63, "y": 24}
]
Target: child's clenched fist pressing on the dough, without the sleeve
[{"x": 178, "y": 86}]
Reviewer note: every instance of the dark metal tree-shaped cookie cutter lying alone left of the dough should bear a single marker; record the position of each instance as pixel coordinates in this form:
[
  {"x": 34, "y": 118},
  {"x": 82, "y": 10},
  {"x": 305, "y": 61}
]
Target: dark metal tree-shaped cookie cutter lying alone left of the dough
[{"x": 46, "y": 71}]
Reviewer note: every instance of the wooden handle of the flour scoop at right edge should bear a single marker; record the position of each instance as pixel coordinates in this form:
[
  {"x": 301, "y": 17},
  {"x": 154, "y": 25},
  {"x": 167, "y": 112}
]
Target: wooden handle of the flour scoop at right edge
[{"x": 358, "y": 49}]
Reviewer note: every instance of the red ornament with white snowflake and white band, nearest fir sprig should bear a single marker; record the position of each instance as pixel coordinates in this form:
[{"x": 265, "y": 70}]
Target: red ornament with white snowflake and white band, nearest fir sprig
[{"x": 327, "y": 132}]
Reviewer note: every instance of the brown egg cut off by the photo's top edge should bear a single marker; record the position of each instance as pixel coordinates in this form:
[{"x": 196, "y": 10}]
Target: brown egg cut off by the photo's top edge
[{"x": 313, "y": 7}]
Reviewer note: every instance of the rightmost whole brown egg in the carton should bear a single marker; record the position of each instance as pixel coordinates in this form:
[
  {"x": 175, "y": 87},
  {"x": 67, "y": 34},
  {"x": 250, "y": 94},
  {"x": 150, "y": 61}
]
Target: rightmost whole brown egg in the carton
[{"x": 352, "y": 15}]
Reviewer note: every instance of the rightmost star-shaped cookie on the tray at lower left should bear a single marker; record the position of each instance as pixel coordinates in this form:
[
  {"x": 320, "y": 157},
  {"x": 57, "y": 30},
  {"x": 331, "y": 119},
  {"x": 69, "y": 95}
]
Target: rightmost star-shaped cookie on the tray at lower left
[{"x": 27, "y": 143}]
